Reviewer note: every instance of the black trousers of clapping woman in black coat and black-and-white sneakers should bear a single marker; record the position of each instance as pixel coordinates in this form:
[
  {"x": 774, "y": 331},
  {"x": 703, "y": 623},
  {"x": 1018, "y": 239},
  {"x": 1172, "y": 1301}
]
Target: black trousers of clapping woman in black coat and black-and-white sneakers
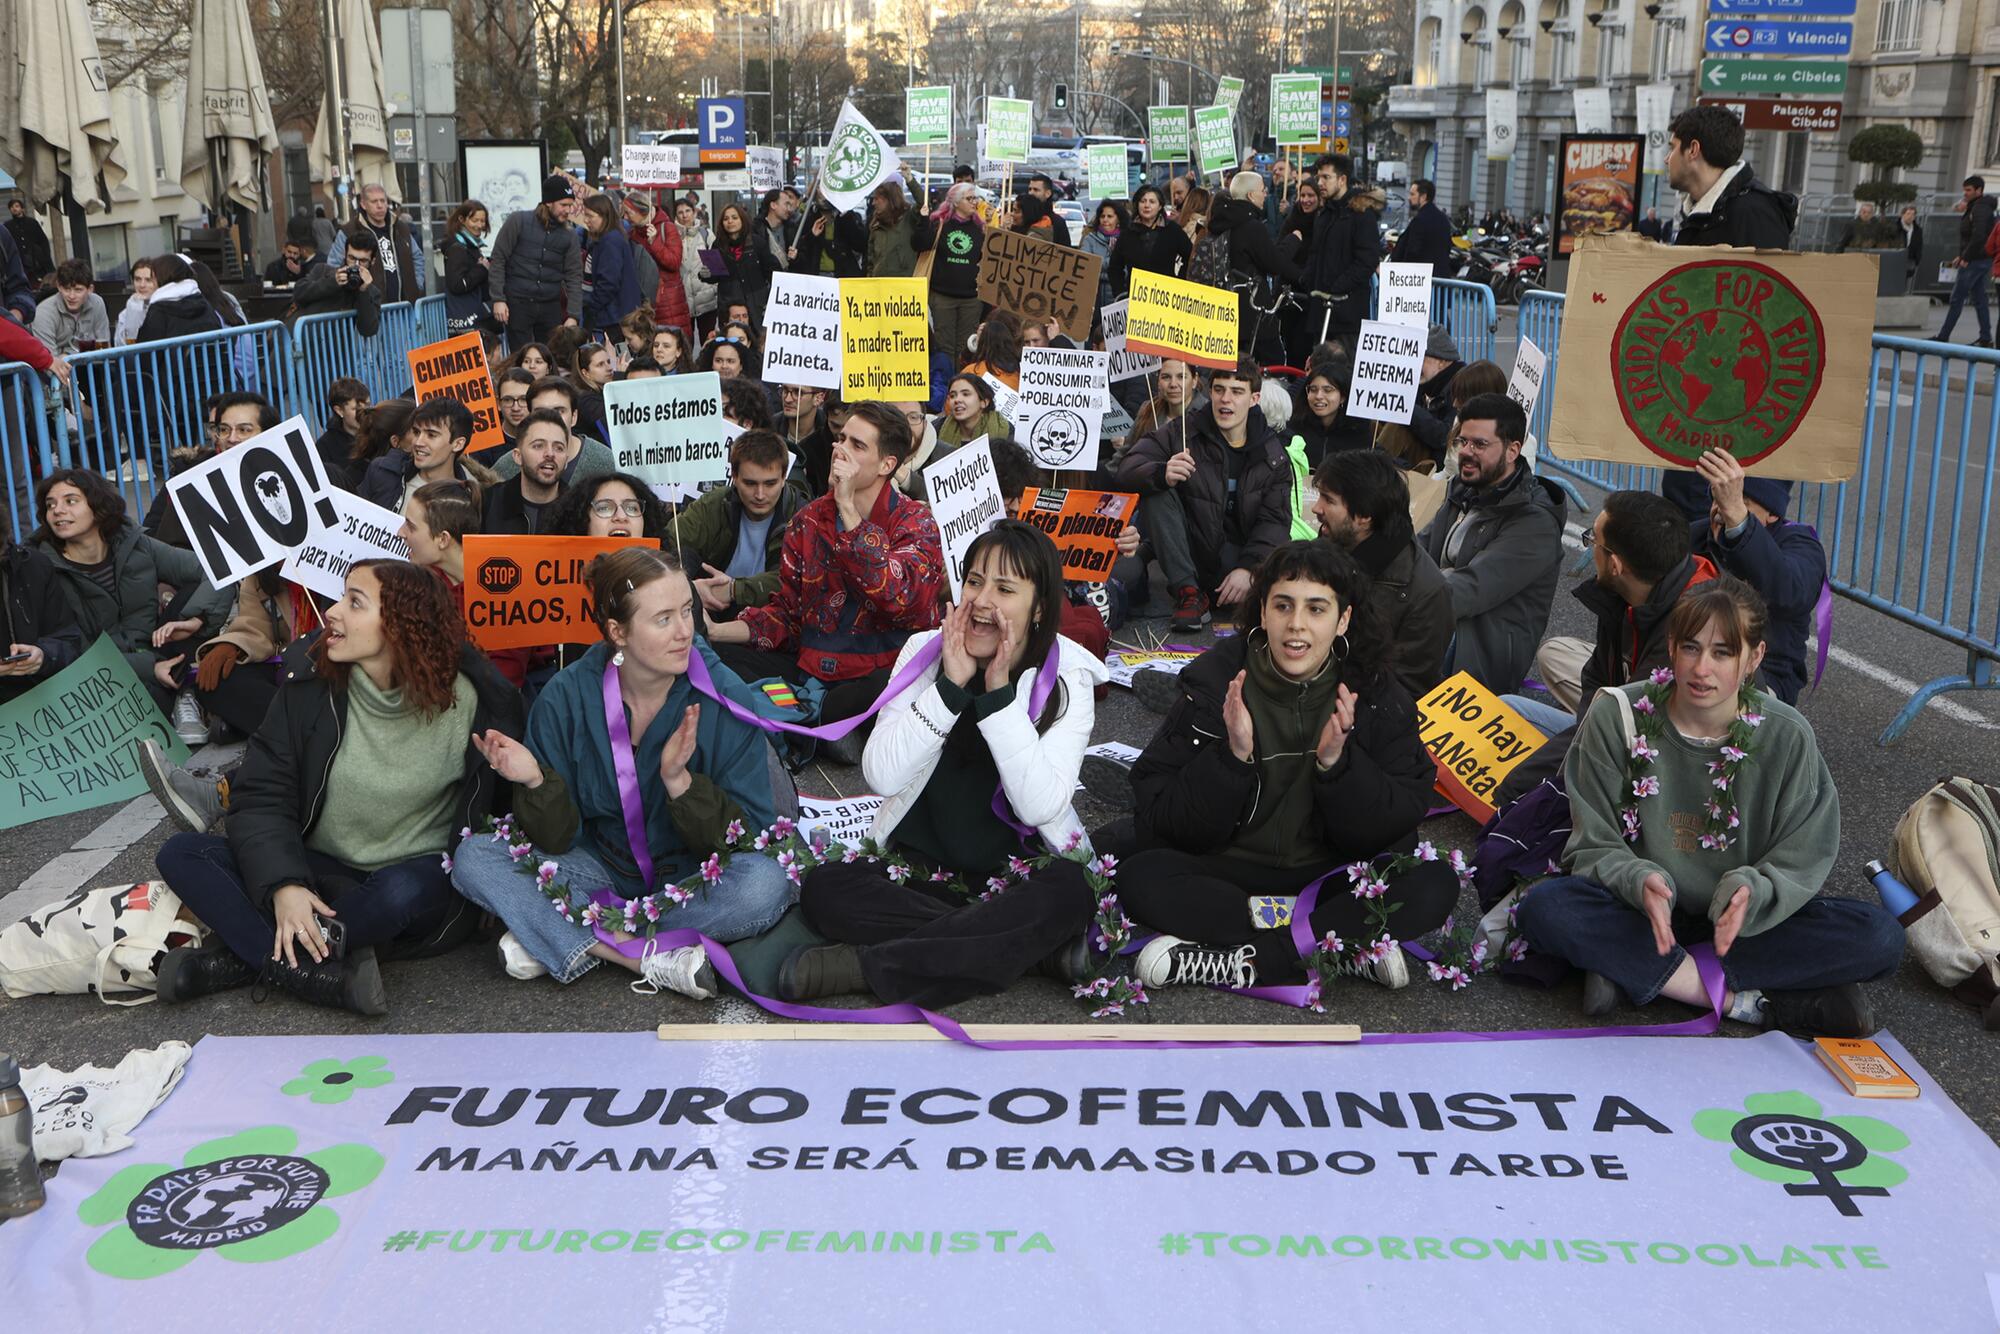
[{"x": 1207, "y": 899}]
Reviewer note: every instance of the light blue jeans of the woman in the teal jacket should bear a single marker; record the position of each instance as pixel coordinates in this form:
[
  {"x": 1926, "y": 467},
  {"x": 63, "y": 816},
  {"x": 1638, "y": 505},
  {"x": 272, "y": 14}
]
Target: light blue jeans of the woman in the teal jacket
[{"x": 749, "y": 901}]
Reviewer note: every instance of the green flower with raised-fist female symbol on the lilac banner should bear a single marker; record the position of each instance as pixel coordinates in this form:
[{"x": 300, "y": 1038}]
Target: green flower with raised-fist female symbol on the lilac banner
[{"x": 1783, "y": 1139}]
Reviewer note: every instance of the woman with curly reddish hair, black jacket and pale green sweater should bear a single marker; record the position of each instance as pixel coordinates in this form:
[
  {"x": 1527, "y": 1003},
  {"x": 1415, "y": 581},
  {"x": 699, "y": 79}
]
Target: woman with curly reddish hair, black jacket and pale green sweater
[{"x": 351, "y": 795}]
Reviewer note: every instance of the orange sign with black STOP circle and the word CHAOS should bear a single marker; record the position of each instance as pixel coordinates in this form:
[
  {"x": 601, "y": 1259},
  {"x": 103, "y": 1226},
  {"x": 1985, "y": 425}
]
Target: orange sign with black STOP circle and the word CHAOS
[{"x": 533, "y": 593}]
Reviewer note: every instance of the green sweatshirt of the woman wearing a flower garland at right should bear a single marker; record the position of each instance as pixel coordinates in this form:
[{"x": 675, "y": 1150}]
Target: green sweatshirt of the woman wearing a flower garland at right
[{"x": 1785, "y": 799}]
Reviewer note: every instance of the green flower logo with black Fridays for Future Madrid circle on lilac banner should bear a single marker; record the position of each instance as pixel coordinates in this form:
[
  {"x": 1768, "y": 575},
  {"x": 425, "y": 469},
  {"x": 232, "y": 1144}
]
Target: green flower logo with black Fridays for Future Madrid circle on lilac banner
[{"x": 245, "y": 1197}]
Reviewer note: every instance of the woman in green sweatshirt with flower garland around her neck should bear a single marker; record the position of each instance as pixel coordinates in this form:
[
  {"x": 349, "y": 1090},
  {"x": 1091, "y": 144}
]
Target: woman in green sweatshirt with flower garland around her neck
[{"x": 1703, "y": 811}]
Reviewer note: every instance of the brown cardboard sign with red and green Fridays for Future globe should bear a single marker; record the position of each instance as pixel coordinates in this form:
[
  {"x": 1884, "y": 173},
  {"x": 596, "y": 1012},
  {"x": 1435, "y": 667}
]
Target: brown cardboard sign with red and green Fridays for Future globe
[{"x": 1759, "y": 353}]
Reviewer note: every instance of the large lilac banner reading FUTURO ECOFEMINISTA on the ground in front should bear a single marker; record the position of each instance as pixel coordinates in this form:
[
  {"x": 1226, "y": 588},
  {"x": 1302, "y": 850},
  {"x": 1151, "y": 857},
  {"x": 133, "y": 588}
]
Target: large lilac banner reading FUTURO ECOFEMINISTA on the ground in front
[{"x": 607, "y": 1181}]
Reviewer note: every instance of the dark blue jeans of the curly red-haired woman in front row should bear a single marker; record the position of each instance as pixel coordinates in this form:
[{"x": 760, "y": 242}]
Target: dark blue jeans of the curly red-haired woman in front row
[{"x": 407, "y": 911}]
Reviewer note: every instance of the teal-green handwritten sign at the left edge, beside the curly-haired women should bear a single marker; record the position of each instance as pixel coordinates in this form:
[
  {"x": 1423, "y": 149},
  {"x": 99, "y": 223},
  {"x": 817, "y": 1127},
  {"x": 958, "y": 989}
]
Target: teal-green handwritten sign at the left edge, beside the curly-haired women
[{"x": 73, "y": 743}]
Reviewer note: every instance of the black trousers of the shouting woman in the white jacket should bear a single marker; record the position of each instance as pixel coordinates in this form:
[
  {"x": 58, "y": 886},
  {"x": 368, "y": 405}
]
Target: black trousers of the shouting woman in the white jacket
[{"x": 929, "y": 947}]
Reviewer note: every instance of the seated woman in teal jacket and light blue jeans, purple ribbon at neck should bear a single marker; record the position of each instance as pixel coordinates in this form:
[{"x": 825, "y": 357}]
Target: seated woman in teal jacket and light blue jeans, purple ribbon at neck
[{"x": 623, "y": 739}]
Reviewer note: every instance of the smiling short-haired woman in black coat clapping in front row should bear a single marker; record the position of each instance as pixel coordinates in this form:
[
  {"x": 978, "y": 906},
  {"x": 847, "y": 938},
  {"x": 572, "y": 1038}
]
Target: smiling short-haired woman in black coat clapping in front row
[{"x": 1293, "y": 753}]
